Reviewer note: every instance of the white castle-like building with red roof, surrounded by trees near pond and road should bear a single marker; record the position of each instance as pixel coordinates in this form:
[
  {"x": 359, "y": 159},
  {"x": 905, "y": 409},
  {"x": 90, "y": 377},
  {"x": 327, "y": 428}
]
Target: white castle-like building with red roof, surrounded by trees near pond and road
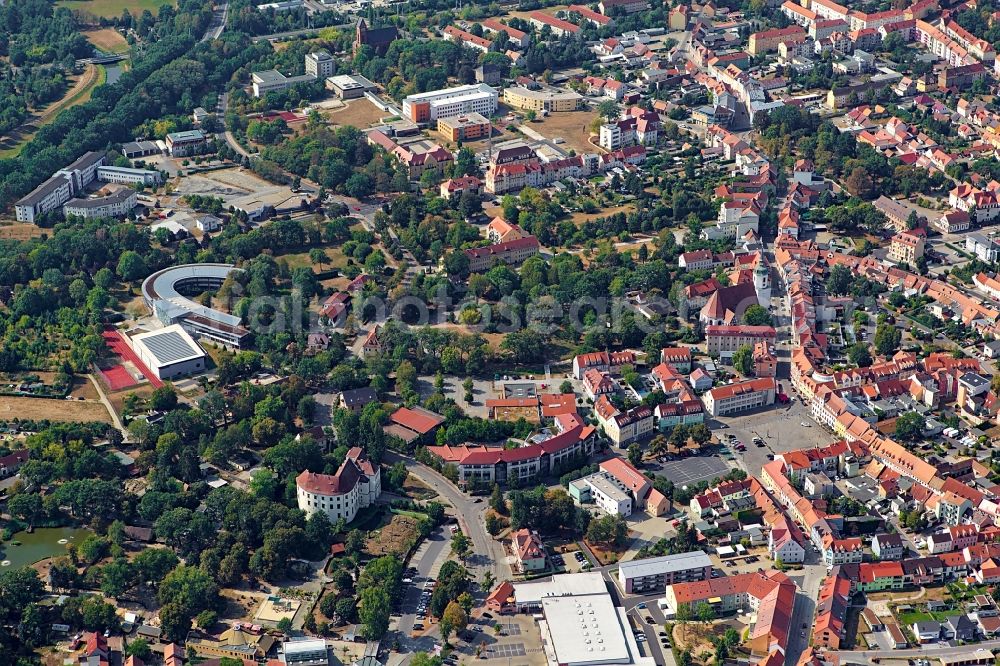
[{"x": 356, "y": 485}]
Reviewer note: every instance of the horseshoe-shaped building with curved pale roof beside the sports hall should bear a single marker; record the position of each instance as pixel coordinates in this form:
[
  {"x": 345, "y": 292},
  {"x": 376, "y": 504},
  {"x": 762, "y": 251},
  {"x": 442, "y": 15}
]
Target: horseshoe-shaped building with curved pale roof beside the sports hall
[{"x": 164, "y": 290}]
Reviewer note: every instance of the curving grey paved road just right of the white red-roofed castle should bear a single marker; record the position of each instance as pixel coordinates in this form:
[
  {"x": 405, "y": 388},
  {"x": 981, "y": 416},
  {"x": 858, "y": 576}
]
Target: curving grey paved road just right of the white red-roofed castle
[{"x": 487, "y": 554}]
